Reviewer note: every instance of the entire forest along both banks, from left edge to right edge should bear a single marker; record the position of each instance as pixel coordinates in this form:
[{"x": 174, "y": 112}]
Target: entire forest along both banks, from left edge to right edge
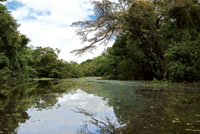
[{"x": 157, "y": 39}]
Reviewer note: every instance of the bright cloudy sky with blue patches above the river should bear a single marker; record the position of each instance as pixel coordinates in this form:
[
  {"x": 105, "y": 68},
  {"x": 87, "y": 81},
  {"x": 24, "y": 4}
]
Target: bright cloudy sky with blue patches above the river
[{"x": 47, "y": 23}]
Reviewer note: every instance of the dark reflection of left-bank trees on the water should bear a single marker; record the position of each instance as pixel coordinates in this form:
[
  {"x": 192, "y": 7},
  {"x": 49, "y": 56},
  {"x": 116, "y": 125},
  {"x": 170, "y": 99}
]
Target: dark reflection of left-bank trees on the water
[{"x": 16, "y": 100}]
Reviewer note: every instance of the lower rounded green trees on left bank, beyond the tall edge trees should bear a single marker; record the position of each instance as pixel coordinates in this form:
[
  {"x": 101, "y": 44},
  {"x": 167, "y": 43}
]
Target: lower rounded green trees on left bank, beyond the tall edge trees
[{"x": 48, "y": 65}]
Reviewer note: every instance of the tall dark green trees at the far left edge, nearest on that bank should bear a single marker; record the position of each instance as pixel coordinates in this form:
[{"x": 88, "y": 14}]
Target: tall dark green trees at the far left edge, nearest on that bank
[{"x": 13, "y": 49}]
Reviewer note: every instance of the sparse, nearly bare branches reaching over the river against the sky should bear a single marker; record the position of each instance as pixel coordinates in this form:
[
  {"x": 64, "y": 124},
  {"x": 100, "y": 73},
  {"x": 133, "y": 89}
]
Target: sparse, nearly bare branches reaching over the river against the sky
[{"x": 106, "y": 25}]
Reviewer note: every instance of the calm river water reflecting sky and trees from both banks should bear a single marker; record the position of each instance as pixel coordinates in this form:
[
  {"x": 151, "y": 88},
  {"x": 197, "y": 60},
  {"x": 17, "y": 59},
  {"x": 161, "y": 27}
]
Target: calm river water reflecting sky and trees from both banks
[{"x": 48, "y": 107}]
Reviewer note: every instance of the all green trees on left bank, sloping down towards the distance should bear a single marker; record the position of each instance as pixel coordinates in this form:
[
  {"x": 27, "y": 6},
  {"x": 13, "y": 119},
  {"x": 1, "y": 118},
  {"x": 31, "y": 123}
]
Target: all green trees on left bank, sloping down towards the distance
[{"x": 18, "y": 61}]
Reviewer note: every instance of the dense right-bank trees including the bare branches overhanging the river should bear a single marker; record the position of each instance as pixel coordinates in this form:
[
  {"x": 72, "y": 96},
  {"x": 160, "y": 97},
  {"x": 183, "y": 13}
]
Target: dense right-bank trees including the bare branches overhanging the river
[{"x": 154, "y": 39}]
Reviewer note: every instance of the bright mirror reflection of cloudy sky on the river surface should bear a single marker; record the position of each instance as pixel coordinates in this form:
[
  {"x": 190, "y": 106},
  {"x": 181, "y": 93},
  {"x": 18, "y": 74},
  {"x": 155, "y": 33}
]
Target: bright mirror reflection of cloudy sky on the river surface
[{"x": 60, "y": 118}]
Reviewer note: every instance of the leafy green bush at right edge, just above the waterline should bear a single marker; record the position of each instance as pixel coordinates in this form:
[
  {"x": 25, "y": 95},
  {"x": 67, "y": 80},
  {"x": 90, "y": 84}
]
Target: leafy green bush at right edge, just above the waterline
[{"x": 183, "y": 57}]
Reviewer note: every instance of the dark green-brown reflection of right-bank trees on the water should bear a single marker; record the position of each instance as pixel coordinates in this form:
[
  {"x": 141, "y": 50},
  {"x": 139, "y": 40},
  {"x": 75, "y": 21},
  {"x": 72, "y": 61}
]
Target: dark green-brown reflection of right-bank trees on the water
[{"x": 151, "y": 110}]
